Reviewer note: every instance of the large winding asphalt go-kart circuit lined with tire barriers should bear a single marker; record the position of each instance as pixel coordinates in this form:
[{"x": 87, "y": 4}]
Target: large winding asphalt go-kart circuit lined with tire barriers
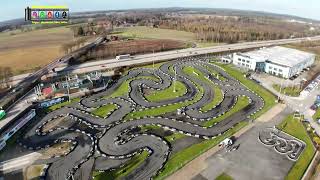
[{"x": 102, "y": 144}]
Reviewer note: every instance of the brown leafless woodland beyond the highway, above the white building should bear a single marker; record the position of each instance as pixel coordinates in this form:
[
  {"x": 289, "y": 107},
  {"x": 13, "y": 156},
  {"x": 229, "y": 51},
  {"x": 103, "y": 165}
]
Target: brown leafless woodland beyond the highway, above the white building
[{"x": 234, "y": 29}]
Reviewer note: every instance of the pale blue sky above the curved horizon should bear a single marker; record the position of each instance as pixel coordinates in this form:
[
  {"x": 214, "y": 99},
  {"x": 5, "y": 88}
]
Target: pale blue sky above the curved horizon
[{"x": 11, "y": 9}]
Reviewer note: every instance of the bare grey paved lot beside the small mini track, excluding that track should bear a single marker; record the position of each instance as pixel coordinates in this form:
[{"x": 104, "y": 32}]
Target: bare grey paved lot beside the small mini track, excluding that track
[{"x": 252, "y": 160}]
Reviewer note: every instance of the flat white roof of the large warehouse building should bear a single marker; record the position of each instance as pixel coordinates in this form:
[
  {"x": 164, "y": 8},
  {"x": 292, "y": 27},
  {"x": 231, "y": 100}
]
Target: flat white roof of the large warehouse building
[{"x": 280, "y": 55}]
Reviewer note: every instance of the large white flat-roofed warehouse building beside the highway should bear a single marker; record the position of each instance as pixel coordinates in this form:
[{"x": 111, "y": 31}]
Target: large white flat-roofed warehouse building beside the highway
[{"x": 278, "y": 61}]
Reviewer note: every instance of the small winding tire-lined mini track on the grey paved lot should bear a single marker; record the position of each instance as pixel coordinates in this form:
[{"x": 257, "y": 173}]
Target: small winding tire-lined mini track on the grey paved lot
[{"x": 283, "y": 143}]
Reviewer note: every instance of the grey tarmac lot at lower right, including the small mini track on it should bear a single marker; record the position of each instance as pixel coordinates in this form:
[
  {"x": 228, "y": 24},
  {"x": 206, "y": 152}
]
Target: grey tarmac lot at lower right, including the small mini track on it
[{"x": 255, "y": 159}]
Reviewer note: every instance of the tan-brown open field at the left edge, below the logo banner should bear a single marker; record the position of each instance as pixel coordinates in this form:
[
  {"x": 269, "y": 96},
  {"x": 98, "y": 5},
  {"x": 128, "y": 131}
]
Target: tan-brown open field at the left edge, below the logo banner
[{"x": 27, "y": 51}]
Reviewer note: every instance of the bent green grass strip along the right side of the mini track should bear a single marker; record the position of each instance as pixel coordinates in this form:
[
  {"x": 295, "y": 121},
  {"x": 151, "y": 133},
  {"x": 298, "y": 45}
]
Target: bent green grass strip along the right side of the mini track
[{"x": 295, "y": 128}]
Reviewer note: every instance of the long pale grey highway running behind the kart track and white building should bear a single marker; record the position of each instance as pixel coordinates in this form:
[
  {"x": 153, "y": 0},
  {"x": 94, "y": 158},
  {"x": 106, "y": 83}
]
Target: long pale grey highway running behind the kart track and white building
[{"x": 168, "y": 55}]
